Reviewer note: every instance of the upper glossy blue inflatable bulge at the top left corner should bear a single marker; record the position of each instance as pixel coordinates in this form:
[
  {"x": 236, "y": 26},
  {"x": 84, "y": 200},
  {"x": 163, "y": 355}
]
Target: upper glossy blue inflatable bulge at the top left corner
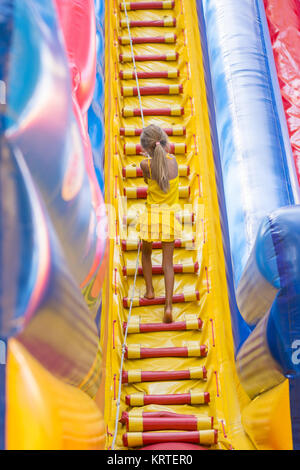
[{"x": 40, "y": 121}]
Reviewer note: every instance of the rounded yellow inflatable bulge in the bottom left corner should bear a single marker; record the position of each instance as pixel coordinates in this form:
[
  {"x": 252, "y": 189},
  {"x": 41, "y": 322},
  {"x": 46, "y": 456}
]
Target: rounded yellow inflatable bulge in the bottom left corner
[{"x": 44, "y": 413}]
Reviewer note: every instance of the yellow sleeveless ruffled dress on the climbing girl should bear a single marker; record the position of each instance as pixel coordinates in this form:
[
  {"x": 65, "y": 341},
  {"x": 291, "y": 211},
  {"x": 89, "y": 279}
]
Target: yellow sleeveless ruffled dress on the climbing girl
[{"x": 158, "y": 221}]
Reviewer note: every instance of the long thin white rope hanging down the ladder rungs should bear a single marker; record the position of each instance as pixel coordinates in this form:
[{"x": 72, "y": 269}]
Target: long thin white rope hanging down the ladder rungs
[{"x": 138, "y": 253}]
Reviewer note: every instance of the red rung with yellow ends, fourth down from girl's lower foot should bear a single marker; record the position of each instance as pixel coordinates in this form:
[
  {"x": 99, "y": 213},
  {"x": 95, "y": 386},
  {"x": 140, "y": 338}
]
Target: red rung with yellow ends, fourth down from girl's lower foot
[{"x": 192, "y": 398}]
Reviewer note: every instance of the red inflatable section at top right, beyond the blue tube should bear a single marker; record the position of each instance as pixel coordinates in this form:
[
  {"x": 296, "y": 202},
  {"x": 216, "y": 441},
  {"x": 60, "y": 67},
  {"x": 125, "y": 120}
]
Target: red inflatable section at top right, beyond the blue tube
[{"x": 284, "y": 24}]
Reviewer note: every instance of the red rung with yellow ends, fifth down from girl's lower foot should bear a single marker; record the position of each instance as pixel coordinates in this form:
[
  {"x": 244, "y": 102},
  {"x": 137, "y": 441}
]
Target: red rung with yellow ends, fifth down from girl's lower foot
[{"x": 143, "y": 423}]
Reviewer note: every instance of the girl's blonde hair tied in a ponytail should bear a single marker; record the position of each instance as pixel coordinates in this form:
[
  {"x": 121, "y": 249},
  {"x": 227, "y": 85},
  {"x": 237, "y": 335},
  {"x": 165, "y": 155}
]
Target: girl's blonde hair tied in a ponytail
[{"x": 154, "y": 140}]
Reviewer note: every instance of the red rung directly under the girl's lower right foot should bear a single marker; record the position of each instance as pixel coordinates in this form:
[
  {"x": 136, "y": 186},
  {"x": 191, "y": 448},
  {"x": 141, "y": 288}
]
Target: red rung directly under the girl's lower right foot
[{"x": 192, "y": 322}]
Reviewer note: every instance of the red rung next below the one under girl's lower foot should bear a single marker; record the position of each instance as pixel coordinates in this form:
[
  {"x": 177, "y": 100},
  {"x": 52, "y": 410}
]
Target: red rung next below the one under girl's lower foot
[{"x": 135, "y": 351}]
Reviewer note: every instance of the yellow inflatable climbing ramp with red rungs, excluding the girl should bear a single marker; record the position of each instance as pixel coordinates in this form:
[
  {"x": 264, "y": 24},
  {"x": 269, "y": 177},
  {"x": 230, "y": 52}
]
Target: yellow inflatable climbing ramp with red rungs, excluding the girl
[{"x": 178, "y": 383}]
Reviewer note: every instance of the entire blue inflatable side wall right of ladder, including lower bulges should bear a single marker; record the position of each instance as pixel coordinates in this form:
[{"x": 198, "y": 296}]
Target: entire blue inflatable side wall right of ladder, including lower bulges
[{"x": 253, "y": 157}]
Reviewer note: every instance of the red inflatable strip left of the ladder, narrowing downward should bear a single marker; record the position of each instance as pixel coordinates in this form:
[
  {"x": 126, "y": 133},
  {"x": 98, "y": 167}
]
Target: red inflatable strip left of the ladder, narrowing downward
[{"x": 78, "y": 24}]
